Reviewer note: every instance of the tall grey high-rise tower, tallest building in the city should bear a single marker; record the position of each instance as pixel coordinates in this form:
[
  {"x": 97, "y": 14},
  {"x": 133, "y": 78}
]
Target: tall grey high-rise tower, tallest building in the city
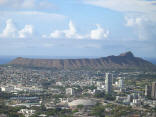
[{"x": 108, "y": 83}]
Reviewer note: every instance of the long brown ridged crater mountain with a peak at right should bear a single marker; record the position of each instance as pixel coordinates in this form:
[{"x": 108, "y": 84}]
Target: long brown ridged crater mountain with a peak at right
[{"x": 123, "y": 61}]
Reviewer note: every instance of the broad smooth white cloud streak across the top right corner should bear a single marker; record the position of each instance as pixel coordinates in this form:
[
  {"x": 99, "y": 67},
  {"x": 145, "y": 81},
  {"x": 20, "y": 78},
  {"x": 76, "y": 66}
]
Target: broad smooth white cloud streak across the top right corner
[{"x": 146, "y": 8}]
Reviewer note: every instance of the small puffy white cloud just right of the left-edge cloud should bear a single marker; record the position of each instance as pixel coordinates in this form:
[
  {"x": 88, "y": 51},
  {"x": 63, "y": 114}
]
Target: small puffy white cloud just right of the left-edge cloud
[{"x": 26, "y": 31}]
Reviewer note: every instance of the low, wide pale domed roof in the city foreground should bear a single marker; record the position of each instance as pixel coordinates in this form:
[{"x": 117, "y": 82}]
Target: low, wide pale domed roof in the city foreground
[{"x": 84, "y": 102}]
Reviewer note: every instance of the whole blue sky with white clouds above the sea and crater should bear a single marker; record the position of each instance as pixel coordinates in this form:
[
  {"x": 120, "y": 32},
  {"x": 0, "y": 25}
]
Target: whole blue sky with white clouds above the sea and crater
[{"x": 94, "y": 28}]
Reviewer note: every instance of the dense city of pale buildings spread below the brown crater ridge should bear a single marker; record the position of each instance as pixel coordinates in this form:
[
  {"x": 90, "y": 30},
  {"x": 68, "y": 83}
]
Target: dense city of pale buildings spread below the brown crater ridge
[{"x": 71, "y": 85}]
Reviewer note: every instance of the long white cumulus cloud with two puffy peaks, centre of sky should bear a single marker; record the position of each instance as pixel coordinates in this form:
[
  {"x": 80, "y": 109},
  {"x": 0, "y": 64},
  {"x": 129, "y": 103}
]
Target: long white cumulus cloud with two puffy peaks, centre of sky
[{"x": 71, "y": 33}]
